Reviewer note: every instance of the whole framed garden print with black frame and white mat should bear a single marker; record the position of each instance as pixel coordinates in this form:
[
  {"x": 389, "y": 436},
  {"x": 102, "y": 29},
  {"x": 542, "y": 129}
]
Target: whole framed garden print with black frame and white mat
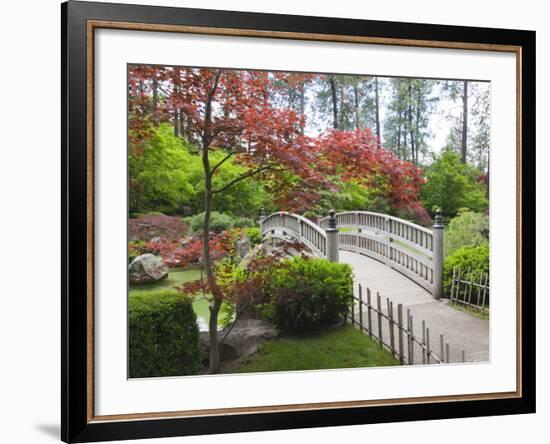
[{"x": 275, "y": 221}]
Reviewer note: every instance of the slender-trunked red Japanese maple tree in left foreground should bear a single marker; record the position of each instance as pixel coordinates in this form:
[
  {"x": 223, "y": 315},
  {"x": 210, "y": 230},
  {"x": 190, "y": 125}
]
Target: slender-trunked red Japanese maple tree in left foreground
[{"x": 230, "y": 110}]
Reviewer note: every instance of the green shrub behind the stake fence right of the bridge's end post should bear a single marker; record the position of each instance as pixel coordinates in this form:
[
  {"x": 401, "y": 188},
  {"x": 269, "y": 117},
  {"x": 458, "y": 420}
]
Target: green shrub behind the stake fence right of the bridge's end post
[{"x": 474, "y": 259}]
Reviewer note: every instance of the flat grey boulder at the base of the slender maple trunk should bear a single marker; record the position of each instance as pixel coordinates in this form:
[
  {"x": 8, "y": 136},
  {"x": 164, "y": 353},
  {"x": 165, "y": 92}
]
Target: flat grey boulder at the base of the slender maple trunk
[{"x": 243, "y": 338}]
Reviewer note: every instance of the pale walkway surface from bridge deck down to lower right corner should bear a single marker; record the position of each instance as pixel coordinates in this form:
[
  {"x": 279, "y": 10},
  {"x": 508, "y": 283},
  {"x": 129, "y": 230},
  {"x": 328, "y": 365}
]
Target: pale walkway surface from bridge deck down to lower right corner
[{"x": 461, "y": 330}]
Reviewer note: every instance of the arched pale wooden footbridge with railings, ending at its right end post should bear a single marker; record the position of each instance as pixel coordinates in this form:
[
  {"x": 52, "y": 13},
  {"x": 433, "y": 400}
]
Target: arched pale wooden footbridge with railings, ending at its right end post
[{"x": 404, "y": 253}]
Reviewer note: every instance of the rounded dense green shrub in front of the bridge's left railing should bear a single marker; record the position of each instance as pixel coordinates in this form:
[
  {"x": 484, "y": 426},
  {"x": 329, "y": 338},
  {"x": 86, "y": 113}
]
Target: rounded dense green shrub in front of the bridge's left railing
[{"x": 304, "y": 294}]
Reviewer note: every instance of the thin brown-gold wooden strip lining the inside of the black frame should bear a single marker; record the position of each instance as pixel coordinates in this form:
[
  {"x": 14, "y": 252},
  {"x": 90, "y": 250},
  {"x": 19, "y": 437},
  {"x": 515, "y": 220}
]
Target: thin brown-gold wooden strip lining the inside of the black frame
[{"x": 92, "y": 25}]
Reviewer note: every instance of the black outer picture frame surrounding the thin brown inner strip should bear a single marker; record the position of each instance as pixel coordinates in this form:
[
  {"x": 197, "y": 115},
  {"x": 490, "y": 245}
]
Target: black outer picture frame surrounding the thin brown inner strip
[{"x": 76, "y": 423}]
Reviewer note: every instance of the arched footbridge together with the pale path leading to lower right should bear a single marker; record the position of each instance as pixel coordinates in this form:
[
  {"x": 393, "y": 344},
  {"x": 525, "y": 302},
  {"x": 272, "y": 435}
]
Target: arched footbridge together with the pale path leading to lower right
[{"x": 398, "y": 262}]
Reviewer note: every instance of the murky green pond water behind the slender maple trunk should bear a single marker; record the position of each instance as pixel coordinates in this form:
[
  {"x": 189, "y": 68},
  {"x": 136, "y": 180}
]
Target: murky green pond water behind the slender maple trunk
[{"x": 176, "y": 278}]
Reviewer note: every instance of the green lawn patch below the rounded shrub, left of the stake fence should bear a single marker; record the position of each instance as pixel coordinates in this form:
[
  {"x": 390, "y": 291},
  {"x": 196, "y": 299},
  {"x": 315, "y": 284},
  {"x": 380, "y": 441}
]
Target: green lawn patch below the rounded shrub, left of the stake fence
[{"x": 343, "y": 347}]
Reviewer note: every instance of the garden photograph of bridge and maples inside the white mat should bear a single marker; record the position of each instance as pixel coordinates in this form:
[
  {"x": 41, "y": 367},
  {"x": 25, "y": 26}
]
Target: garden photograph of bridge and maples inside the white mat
[{"x": 292, "y": 221}]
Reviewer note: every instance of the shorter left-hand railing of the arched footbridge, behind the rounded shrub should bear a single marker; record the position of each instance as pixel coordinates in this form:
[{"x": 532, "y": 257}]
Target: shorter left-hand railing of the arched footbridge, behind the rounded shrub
[{"x": 298, "y": 227}]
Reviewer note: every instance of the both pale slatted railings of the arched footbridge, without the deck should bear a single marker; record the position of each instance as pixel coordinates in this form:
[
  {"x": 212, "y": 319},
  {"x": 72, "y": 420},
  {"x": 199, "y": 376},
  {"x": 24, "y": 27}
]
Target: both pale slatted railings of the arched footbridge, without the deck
[{"x": 413, "y": 250}]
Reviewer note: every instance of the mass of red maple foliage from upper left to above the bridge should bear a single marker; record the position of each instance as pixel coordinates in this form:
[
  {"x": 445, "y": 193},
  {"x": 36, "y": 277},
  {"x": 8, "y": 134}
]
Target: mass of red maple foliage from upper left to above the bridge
[{"x": 235, "y": 110}]
